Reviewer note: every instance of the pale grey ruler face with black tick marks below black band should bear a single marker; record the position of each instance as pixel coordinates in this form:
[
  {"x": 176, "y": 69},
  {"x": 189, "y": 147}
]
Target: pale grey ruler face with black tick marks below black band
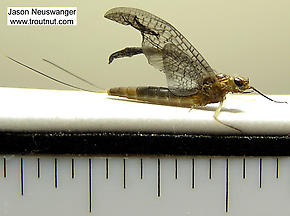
[{"x": 31, "y": 185}]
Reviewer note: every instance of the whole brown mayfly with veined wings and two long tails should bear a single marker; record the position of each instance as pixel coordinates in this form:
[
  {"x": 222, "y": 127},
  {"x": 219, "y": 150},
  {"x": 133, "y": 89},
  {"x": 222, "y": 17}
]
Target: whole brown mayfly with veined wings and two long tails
[{"x": 191, "y": 80}]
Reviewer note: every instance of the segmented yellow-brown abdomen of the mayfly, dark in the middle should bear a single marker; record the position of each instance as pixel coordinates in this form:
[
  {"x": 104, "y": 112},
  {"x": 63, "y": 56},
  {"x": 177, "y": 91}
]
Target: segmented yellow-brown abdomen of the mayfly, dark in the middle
[{"x": 154, "y": 95}]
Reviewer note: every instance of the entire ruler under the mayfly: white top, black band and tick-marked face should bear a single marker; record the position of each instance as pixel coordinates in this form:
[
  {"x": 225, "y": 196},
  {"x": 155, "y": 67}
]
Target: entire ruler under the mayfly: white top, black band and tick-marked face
[{"x": 80, "y": 153}]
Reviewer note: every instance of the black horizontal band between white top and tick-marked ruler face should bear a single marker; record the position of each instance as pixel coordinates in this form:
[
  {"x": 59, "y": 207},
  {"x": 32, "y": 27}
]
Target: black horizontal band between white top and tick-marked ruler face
[{"x": 117, "y": 143}]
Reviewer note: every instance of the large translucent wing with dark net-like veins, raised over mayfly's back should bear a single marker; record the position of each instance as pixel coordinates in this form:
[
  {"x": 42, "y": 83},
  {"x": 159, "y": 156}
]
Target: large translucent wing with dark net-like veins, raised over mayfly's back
[{"x": 167, "y": 50}]
